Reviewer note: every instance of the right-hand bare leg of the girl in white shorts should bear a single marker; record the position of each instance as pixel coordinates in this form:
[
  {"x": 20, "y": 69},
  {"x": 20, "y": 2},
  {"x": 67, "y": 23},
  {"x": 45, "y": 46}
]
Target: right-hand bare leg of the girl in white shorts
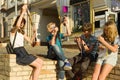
[{"x": 105, "y": 71}]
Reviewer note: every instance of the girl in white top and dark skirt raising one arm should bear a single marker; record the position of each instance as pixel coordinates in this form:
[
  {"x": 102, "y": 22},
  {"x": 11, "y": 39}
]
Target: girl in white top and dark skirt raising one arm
[{"x": 22, "y": 57}]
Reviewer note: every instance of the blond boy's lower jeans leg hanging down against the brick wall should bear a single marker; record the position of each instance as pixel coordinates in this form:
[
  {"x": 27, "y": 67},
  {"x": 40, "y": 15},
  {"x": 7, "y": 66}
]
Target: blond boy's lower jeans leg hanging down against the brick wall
[{"x": 61, "y": 72}]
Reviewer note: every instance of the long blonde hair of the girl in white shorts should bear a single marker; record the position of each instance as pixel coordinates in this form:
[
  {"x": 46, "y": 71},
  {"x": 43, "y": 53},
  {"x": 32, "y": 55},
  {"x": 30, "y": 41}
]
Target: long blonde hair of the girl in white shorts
[{"x": 110, "y": 31}]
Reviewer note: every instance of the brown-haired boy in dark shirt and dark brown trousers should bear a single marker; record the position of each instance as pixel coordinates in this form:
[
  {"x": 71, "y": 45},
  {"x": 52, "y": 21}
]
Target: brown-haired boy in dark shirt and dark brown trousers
[{"x": 88, "y": 46}]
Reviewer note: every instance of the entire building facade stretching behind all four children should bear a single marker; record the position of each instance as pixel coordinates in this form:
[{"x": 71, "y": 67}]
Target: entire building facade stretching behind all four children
[{"x": 45, "y": 11}]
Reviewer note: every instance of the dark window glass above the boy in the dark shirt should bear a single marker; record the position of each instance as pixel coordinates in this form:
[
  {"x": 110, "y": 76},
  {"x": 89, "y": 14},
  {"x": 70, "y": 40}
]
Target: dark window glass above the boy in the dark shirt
[{"x": 81, "y": 14}]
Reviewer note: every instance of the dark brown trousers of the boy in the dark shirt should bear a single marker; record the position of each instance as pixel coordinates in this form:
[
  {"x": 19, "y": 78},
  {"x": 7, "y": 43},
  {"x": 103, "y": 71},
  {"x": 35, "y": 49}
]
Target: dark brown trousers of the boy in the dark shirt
[{"x": 84, "y": 62}]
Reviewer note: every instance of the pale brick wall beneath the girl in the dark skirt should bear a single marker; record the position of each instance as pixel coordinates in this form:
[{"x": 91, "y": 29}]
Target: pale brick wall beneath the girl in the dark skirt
[{"x": 9, "y": 70}]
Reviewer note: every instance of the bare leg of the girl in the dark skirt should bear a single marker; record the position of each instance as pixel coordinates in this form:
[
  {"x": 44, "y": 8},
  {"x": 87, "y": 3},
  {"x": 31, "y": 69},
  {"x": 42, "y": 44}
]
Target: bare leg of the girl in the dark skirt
[{"x": 37, "y": 64}]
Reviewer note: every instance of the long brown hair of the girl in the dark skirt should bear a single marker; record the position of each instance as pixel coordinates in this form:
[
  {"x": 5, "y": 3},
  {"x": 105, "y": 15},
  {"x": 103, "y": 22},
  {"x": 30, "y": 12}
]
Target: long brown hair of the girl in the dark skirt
[{"x": 21, "y": 29}]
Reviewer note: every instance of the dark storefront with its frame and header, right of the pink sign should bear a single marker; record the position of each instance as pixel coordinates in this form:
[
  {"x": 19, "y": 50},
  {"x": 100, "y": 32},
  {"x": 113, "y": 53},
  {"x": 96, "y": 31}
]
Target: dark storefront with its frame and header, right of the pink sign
[{"x": 80, "y": 12}]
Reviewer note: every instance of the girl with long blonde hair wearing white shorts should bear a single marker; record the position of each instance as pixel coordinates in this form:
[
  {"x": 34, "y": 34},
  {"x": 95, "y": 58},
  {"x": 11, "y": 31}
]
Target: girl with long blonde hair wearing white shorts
[{"x": 108, "y": 51}]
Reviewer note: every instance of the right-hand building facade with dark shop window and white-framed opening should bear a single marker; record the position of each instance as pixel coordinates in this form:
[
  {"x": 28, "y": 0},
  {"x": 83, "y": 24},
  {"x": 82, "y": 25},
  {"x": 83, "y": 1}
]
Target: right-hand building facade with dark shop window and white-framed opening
[{"x": 95, "y": 11}]
